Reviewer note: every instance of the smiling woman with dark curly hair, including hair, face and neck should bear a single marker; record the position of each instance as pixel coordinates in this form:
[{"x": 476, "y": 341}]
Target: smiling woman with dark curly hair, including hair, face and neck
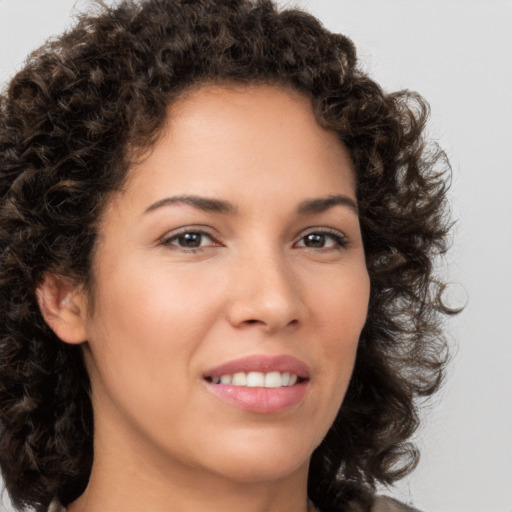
[{"x": 217, "y": 238}]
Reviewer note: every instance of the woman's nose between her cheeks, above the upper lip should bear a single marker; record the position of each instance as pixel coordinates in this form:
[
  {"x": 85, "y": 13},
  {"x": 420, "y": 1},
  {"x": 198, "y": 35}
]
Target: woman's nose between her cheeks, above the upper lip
[{"x": 265, "y": 294}]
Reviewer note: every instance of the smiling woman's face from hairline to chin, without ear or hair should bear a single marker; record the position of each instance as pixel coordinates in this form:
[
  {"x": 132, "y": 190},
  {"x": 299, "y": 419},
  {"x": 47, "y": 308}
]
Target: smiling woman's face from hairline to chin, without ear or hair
[{"x": 234, "y": 253}]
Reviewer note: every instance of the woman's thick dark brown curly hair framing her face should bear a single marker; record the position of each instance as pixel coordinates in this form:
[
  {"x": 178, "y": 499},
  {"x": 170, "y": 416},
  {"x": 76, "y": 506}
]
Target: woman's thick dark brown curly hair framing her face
[{"x": 71, "y": 123}]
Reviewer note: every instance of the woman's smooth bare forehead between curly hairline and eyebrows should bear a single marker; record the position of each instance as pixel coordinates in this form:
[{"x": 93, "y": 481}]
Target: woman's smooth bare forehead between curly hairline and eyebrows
[{"x": 221, "y": 138}]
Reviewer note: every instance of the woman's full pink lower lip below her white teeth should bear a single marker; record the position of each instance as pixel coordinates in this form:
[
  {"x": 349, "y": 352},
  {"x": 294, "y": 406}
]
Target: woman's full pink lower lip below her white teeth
[{"x": 260, "y": 400}]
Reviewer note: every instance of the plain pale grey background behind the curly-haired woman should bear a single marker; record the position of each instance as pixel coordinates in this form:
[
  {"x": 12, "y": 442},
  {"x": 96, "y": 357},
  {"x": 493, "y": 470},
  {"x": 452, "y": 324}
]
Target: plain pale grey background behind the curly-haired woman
[{"x": 458, "y": 55}]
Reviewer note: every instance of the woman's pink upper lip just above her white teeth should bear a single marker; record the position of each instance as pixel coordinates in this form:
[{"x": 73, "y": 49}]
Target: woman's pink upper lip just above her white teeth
[{"x": 263, "y": 364}]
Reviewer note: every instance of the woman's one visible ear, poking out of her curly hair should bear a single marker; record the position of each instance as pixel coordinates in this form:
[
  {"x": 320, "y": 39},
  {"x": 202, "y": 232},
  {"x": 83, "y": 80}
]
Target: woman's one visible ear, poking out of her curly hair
[{"x": 64, "y": 307}]
